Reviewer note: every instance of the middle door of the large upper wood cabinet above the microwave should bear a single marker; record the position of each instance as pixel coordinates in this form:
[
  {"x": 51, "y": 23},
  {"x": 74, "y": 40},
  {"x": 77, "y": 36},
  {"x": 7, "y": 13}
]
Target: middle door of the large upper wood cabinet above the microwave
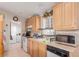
[{"x": 67, "y": 14}]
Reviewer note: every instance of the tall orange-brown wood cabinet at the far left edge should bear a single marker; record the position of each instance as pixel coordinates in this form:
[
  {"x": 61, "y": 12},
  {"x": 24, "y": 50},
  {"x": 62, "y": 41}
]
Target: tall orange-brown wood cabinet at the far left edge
[{"x": 1, "y": 36}]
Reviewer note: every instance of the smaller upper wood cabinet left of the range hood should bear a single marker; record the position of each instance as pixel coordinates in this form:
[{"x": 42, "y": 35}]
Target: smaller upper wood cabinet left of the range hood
[{"x": 34, "y": 21}]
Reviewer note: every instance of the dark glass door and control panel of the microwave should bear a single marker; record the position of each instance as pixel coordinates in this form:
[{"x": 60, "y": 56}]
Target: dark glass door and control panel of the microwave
[{"x": 66, "y": 38}]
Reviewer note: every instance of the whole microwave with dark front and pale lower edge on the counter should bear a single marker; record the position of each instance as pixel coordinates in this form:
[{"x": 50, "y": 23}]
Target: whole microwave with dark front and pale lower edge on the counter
[{"x": 66, "y": 40}]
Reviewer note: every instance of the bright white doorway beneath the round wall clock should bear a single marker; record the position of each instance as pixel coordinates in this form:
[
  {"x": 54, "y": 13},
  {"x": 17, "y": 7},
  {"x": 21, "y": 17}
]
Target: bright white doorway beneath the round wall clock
[{"x": 15, "y": 35}]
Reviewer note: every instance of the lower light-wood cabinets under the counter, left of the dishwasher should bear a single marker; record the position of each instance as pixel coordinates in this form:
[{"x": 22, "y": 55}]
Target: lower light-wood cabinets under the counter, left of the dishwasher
[{"x": 36, "y": 49}]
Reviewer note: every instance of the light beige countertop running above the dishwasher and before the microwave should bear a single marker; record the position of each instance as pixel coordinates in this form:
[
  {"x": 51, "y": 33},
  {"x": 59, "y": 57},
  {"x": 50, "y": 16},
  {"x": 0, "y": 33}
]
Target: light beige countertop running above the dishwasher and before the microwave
[{"x": 57, "y": 45}]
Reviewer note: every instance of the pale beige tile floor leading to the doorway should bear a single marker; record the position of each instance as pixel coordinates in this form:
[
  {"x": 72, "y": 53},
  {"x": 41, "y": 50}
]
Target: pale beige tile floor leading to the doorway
[{"x": 15, "y": 50}]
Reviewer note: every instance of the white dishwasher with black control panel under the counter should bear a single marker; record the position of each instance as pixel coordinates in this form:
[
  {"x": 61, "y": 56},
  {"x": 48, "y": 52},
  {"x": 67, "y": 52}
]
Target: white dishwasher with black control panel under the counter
[{"x": 56, "y": 52}]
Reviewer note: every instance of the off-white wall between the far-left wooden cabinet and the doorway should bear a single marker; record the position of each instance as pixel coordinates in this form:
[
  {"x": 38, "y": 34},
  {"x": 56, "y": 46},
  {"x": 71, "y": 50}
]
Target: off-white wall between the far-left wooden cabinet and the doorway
[{"x": 7, "y": 18}]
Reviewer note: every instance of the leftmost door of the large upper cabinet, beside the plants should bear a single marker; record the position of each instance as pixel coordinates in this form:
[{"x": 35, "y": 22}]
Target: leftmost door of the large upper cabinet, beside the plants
[{"x": 57, "y": 18}]
